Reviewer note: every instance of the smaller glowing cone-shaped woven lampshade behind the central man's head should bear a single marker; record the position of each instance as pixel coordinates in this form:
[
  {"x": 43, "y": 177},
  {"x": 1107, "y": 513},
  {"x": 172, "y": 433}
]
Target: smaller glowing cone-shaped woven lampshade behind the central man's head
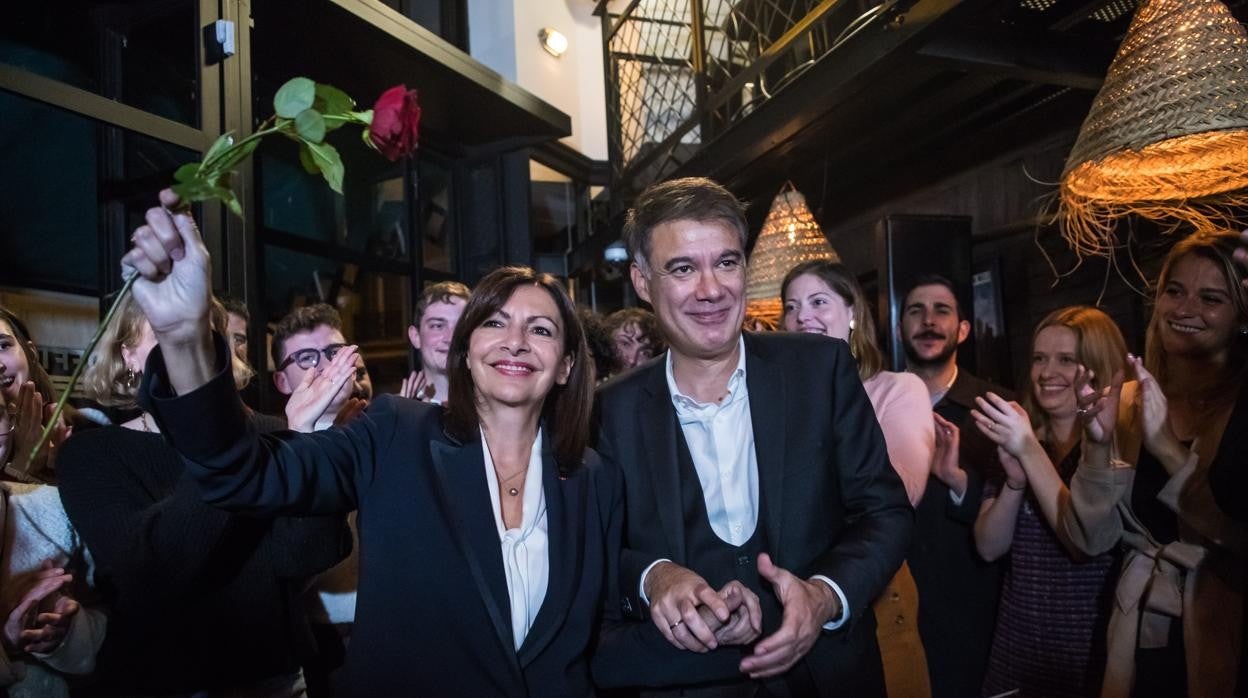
[{"x": 789, "y": 238}]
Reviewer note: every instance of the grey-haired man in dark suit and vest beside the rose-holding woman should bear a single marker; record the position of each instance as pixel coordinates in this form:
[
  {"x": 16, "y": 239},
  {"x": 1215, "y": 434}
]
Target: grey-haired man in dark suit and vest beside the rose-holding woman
[{"x": 749, "y": 463}]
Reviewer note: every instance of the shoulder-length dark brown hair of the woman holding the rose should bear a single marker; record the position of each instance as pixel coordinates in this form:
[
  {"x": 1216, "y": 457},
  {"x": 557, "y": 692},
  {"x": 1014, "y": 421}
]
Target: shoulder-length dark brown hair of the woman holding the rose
[{"x": 566, "y": 413}]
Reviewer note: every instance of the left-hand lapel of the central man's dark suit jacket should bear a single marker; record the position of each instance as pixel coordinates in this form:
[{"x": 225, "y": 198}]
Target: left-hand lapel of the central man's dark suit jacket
[{"x": 658, "y": 450}]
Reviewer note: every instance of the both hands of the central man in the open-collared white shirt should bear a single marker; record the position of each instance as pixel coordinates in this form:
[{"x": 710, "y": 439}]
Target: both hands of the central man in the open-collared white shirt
[{"x": 693, "y": 616}]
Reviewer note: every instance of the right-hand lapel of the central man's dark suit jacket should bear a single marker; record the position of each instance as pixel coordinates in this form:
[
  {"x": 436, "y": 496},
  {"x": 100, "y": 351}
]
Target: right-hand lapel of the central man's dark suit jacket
[{"x": 767, "y": 388}]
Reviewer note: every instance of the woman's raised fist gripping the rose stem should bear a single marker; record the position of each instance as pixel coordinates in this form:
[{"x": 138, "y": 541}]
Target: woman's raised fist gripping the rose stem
[{"x": 175, "y": 274}]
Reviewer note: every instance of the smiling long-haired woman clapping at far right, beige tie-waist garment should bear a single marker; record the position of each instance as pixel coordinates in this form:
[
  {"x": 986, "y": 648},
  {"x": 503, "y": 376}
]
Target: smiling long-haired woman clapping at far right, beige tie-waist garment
[{"x": 1177, "y": 625}]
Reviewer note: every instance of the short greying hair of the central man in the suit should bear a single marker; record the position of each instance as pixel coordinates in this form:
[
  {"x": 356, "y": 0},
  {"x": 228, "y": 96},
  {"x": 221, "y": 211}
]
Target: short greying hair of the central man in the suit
[{"x": 690, "y": 199}]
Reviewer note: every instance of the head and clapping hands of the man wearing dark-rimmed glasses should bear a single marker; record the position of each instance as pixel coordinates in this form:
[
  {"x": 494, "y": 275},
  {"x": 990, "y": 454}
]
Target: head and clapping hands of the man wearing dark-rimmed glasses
[{"x": 305, "y": 340}]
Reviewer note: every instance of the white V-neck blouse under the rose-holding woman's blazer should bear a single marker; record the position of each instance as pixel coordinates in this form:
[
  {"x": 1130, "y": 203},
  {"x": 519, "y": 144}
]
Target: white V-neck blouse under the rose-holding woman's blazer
[{"x": 526, "y": 550}]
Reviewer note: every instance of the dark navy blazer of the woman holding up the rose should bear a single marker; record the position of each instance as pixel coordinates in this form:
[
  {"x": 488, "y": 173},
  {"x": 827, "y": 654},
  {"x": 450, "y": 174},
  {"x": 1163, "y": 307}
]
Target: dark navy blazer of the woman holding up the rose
[{"x": 432, "y": 615}]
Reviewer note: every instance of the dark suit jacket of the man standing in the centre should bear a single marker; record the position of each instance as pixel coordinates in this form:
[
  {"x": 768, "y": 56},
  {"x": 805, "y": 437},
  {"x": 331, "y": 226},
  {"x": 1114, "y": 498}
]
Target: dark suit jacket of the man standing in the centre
[{"x": 833, "y": 505}]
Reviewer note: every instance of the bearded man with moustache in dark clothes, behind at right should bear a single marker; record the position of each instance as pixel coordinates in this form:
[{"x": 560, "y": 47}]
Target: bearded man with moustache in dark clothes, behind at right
[{"x": 958, "y": 590}]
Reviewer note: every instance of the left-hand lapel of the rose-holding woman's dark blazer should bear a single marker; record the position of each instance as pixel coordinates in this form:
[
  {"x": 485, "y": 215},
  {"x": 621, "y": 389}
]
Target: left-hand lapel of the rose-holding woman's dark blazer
[{"x": 464, "y": 491}]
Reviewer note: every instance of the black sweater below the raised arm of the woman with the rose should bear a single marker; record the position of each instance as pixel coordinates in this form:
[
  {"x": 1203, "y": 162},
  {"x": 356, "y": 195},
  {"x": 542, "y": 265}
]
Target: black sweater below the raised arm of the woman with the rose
[{"x": 198, "y": 599}]
